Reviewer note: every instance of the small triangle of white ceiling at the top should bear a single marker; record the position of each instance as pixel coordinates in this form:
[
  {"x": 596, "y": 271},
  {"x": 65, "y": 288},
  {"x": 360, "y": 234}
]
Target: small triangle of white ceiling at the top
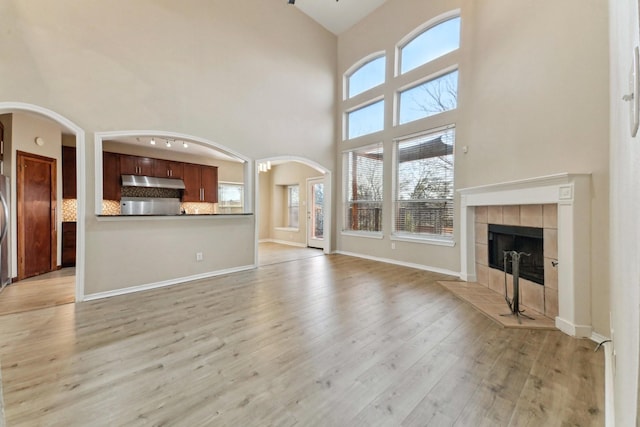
[{"x": 337, "y": 16}]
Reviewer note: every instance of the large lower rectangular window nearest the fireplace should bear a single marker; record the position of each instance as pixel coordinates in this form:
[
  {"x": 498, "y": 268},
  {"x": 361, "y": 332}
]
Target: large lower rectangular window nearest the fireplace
[{"x": 424, "y": 185}]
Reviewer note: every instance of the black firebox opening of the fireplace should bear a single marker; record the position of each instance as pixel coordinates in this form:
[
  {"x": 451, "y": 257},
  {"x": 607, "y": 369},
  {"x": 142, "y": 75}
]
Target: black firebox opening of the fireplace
[{"x": 520, "y": 239}]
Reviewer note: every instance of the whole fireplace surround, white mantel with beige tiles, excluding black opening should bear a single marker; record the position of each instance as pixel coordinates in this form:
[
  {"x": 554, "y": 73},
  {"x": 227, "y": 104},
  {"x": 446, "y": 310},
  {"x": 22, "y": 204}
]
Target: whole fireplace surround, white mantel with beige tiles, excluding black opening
[{"x": 571, "y": 194}]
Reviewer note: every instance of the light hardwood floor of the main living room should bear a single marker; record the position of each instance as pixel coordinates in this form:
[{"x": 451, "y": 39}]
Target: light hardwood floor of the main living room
[{"x": 321, "y": 341}]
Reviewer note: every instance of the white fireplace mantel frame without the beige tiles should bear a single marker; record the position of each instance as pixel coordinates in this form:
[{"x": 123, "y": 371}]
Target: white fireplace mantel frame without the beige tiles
[{"x": 572, "y": 194}]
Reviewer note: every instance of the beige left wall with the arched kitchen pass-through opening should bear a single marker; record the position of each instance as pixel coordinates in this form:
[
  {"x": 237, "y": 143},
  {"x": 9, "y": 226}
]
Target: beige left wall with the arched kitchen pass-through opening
[{"x": 256, "y": 76}]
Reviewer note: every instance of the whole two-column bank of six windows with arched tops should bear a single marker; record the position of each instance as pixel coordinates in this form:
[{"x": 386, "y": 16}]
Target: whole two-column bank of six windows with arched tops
[{"x": 424, "y": 90}]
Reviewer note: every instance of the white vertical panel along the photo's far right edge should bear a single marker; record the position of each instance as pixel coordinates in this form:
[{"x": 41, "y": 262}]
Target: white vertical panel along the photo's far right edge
[{"x": 625, "y": 205}]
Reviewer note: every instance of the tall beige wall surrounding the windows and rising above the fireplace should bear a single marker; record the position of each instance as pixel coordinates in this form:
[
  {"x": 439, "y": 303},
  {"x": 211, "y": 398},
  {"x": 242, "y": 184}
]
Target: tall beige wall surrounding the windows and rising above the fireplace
[{"x": 533, "y": 101}]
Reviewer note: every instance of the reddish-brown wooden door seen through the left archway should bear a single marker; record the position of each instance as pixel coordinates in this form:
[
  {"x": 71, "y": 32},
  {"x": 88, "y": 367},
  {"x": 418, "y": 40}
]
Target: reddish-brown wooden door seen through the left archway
[{"x": 37, "y": 222}]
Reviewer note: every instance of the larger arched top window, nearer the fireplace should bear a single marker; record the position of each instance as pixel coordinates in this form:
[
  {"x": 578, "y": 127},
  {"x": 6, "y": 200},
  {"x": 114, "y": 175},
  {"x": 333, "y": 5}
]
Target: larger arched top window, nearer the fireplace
[{"x": 433, "y": 43}]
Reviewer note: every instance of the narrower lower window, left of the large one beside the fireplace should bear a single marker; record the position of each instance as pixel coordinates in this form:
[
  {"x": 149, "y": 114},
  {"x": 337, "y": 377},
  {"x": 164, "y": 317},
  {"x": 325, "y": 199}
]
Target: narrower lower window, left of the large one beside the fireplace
[{"x": 363, "y": 189}]
